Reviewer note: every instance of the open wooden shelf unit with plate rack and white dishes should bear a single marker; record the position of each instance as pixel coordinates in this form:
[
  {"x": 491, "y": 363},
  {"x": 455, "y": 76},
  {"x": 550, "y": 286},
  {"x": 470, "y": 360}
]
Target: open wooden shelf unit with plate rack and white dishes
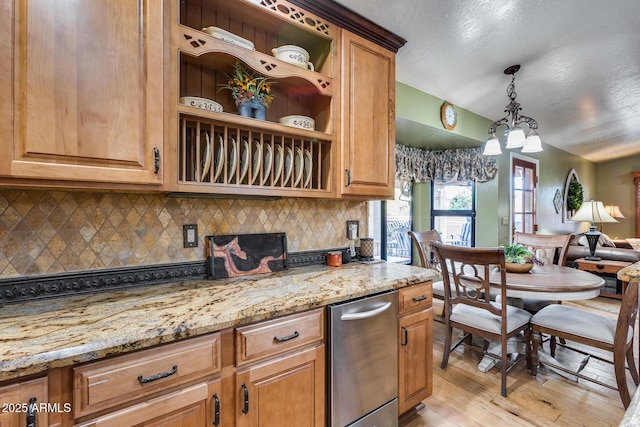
[{"x": 293, "y": 149}]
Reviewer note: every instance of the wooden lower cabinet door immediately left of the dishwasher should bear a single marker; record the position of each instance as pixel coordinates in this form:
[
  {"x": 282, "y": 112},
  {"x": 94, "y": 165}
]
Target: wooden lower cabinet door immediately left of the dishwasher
[{"x": 285, "y": 391}]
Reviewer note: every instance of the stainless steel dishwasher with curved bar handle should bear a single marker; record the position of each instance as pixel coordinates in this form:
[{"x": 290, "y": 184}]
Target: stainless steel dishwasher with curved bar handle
[{"x": 363, "y": 362}]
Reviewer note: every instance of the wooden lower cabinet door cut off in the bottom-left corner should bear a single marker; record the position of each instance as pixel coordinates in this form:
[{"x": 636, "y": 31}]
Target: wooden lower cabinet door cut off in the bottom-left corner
[{"x": 17, "y": 402}]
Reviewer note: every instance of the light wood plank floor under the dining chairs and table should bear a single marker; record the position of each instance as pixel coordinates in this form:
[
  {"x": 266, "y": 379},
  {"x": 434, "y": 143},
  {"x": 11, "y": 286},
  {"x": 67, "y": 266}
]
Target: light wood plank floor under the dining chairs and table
[{"x": 464, "y": 396}]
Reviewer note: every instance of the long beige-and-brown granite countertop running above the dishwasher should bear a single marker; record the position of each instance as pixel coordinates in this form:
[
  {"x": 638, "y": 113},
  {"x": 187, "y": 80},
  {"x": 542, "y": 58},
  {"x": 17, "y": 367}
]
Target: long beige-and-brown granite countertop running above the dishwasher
[{"x": 40, "y": 335}]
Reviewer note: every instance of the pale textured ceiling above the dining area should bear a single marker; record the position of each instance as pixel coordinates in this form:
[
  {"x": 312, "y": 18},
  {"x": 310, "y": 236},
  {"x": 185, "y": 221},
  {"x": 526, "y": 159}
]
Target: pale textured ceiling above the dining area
[{"x": 580, "y": 75}]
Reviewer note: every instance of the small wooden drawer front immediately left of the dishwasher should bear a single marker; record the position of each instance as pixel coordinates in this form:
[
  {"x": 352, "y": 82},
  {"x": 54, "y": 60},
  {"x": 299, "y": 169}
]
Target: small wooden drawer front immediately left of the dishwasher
[{"x": 279, "y": 335}]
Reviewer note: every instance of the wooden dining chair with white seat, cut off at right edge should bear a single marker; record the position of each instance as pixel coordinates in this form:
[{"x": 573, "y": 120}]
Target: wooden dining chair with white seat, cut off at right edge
[{"x": 594, "y": 330}]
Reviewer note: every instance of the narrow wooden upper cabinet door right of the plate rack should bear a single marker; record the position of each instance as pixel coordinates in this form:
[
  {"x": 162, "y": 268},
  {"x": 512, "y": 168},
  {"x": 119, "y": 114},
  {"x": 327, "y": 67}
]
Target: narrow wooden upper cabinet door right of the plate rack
[{"x": 368, "y": 118}]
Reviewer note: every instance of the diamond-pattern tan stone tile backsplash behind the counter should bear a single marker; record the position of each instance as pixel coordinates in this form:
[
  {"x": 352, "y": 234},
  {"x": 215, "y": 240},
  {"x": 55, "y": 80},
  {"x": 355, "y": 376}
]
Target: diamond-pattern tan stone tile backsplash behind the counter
[{"x": 43, "y": 232}]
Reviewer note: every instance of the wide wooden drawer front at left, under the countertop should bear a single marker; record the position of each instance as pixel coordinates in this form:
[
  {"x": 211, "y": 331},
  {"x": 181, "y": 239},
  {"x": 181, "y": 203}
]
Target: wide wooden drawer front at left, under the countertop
[{"x": 107, "y": 383}]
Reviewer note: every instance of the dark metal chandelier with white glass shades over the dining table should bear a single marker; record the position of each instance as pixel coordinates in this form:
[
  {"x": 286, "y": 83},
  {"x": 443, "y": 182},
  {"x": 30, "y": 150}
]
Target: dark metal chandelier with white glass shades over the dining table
[{"x": 513, "y": 122}]
